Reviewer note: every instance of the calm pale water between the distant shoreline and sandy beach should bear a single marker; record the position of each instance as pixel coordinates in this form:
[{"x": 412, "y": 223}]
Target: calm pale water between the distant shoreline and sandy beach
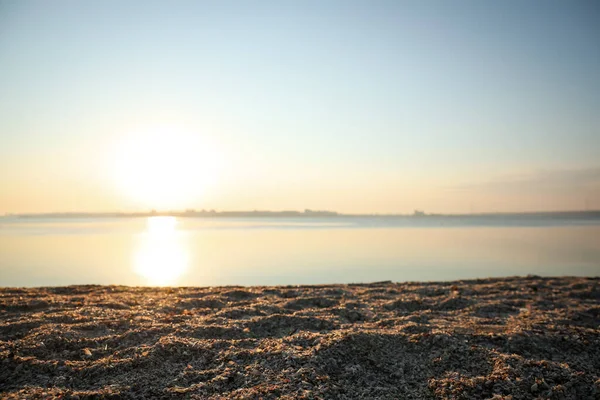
[{"x": 269, "y": 251}]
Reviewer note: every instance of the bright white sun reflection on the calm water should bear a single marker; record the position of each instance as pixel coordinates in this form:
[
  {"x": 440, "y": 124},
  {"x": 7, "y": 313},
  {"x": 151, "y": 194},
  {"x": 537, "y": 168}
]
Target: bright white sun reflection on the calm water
[{"x": 161, "y": 257}]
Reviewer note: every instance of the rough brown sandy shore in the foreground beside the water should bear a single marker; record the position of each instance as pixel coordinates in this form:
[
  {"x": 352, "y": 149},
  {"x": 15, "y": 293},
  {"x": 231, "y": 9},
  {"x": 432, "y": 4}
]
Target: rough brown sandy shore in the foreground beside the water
[{"x": 522, "y": 337}]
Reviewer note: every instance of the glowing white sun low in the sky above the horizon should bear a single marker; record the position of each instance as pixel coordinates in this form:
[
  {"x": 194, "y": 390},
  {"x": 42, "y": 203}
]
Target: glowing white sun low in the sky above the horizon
[{"x": 165, "y": 167}]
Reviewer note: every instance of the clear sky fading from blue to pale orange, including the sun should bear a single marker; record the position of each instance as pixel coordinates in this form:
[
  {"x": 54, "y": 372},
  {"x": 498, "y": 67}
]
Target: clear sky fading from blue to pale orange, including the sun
[{"x": 352, "y": 106}]
